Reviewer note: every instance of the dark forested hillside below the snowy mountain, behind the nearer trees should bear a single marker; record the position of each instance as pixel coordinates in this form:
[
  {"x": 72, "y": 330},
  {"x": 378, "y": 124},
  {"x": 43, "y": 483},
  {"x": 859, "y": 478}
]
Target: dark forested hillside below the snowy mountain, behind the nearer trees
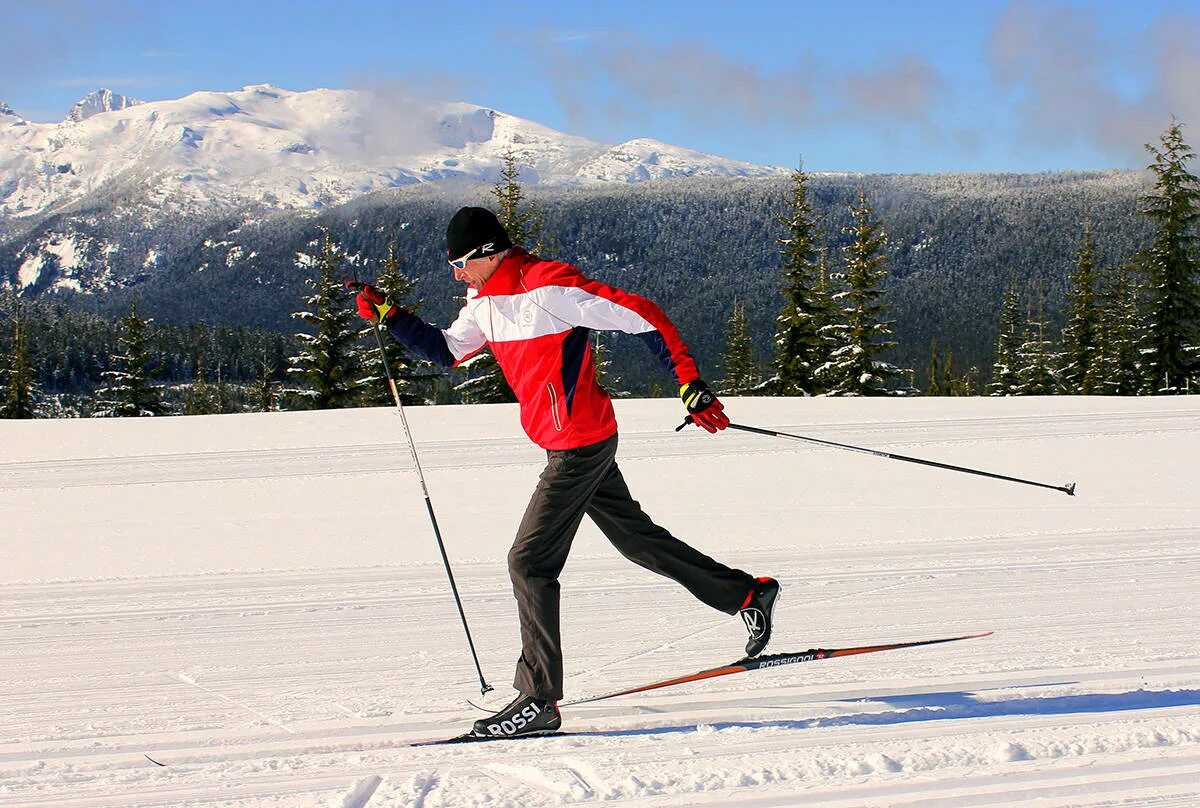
[{"x": 694, "y": 246}]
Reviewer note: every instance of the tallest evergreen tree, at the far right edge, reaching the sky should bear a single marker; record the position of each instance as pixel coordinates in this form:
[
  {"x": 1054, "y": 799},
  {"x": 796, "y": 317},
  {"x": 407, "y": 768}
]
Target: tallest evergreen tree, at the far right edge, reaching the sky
[{"x": 1173, "y": 264}]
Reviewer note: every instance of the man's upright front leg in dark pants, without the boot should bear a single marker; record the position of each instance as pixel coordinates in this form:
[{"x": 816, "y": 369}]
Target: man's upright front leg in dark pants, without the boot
[{"x": 539, "y": 554}]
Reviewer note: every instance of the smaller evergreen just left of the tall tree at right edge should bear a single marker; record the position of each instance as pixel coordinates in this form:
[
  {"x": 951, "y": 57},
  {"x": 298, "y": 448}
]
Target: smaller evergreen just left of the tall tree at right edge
[{"x": 1117, "y": 370}]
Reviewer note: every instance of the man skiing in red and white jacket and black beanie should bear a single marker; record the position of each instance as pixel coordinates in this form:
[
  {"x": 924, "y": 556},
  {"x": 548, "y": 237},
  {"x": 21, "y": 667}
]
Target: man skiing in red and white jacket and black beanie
[{"x": 537, "y": 315}]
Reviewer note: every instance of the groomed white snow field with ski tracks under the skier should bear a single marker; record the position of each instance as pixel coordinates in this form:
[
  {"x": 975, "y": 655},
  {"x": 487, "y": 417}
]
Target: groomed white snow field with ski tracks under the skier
[{"x": 257, "y": 603}]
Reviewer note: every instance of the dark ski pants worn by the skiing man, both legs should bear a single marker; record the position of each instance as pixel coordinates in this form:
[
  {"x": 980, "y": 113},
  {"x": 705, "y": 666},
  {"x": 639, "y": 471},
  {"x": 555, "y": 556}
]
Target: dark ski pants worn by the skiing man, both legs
[{"x": 579, "y": 482}]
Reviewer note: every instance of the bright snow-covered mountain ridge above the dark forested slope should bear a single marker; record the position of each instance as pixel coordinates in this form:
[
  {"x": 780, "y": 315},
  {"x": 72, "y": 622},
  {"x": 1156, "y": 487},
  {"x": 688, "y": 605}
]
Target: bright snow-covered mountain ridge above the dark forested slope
[{"x": 272, "y": 147}]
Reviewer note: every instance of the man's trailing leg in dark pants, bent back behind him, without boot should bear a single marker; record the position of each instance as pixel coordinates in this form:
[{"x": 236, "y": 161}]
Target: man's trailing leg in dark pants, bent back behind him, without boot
[{"x": 627, "y": 526}]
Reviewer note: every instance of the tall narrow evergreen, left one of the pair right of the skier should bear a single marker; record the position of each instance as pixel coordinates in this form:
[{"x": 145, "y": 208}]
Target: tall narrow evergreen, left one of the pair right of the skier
[{"x": 801, "y": 348}]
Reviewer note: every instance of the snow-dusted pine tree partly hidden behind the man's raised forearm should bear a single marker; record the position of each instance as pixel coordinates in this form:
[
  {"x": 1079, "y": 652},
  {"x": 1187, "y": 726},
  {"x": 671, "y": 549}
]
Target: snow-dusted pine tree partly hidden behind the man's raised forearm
[{"x": 415, "y": 378}]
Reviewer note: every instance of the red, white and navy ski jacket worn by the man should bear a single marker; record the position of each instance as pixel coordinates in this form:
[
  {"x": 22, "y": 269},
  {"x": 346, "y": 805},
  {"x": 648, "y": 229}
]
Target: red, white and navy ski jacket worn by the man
[{"x": 537, "y": 315}]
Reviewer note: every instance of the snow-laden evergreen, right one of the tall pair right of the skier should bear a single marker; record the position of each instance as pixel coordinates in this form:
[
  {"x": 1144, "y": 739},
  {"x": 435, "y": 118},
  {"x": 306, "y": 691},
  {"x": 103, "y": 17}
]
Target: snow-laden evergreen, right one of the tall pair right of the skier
[{"x": 861, "y": 336}]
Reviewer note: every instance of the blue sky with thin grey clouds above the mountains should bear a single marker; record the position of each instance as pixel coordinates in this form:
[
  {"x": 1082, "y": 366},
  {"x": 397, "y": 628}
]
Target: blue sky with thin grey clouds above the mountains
[{"x": 908, "y": 86}]
